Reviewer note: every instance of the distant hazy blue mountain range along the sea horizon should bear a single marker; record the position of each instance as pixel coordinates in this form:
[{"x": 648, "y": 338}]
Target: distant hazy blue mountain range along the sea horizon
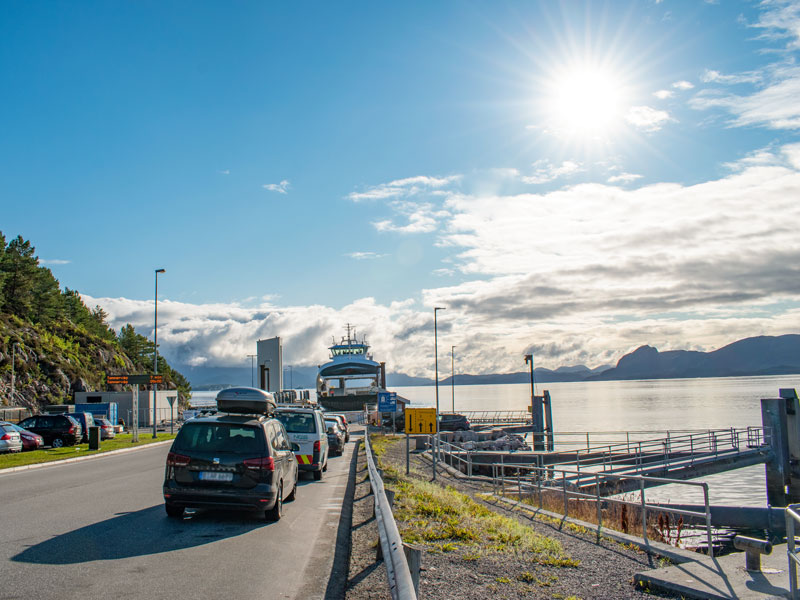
[{"x": 762, "y": 355}]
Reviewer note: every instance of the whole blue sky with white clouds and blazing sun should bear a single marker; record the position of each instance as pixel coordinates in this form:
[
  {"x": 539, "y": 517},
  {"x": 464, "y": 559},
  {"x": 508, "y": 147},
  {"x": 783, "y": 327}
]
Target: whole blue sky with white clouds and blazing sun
[{"x": 575, "y": 178}]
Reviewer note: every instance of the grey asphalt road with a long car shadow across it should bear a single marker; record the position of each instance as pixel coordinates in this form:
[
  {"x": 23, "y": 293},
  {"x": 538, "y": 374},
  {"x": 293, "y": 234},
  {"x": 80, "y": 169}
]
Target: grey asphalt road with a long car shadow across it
[{"x": 97, "y": 529}]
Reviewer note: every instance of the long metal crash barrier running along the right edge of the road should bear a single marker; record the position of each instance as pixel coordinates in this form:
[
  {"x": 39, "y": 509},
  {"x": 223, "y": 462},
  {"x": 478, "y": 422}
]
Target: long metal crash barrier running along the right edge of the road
[{"x": 401, "y": 585}]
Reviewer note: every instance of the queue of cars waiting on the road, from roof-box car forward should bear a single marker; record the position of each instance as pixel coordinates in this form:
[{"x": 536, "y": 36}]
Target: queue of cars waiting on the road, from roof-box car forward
[{"x": 249, "y": 455}]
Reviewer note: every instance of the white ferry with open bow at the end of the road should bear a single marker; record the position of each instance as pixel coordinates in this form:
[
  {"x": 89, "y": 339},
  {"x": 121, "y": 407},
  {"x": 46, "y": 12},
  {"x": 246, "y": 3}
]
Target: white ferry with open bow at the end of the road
[{"x": 351, "y": 379}]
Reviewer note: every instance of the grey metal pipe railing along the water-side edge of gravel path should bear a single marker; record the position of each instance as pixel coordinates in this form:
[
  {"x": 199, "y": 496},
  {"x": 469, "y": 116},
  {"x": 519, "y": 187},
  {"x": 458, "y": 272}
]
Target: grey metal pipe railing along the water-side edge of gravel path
[{"x": 544, "y": 479}]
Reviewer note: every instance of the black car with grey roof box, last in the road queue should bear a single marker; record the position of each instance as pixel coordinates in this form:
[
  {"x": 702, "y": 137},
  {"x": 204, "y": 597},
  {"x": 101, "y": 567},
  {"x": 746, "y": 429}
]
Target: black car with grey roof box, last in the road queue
[{"x": 239, "y": 459}]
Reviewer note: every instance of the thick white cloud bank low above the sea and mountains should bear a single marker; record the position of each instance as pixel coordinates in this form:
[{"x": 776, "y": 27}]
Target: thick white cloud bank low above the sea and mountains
[{"x": 580, "y": 274}]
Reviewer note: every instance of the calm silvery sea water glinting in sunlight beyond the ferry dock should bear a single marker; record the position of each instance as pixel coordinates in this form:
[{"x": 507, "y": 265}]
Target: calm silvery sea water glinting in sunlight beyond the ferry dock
[{"x": 643, "y": 405}]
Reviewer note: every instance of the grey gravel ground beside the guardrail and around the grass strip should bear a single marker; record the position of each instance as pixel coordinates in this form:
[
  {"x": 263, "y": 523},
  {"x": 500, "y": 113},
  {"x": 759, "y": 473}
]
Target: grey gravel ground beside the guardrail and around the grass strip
[{"x": 605, "y": 571}]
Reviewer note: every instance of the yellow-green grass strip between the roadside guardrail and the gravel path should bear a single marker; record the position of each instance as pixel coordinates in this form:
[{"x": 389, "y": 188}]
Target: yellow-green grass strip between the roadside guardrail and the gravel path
[{"x": 444, "y": 519}]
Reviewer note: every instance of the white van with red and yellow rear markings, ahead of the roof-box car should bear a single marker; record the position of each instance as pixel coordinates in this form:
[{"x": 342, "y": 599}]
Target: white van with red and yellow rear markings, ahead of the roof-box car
[{"x": 306, "y": 428}]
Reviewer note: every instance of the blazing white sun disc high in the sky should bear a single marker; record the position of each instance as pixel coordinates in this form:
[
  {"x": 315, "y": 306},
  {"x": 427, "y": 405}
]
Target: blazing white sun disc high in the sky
[{"x": 584, "y": 101}]
